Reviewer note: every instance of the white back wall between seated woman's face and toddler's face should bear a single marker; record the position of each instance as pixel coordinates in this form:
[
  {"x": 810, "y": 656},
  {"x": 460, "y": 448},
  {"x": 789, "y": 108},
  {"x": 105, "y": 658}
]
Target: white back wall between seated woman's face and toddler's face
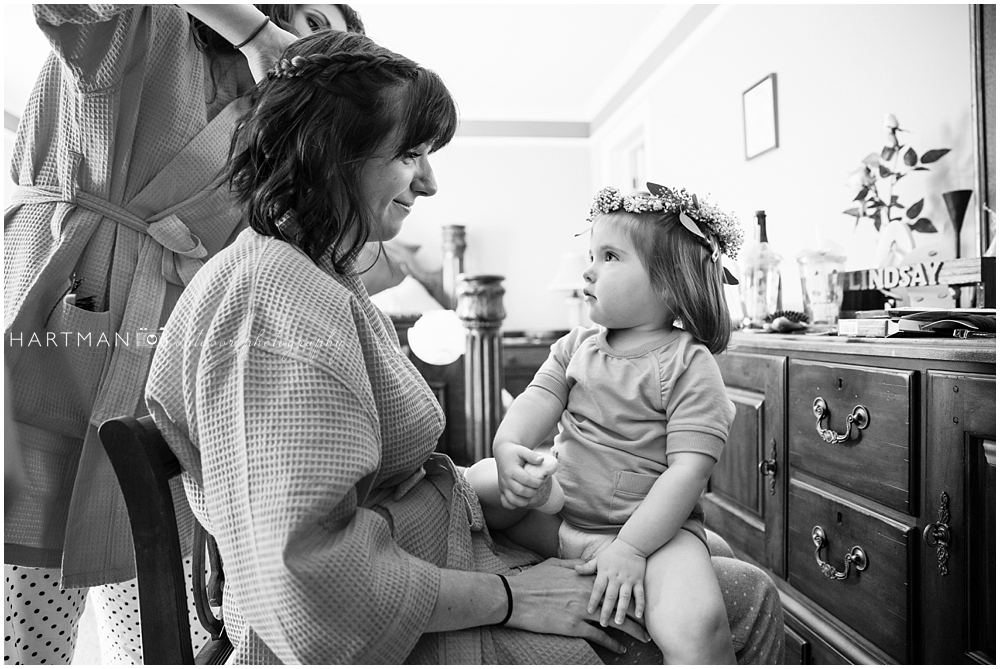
[{"x": 522, "y": 201}]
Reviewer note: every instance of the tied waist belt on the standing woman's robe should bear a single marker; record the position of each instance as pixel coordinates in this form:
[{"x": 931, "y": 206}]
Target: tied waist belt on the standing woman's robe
[{"x": 173, "y": 249}]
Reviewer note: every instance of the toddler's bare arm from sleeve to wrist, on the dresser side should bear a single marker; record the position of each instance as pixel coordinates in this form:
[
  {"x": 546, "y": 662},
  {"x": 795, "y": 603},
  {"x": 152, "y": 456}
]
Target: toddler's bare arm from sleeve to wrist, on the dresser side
[{"x": 669, "y": 502}]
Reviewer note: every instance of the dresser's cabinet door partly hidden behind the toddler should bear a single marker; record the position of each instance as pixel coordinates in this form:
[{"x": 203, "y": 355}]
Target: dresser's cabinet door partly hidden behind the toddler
[{"x": 745, "y": 502}]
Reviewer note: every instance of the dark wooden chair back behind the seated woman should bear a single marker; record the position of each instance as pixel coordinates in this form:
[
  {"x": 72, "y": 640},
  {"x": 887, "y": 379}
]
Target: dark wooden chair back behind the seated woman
[{"x": 144, "y": 465}]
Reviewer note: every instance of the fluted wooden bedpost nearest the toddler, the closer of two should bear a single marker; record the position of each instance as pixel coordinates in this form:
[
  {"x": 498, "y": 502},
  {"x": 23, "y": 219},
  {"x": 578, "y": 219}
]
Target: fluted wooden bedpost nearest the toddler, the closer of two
[{"x": 480, "y": 306}]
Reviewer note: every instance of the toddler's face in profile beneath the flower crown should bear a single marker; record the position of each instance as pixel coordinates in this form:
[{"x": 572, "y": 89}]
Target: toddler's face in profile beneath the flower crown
[{"x": 618, "y": 291}]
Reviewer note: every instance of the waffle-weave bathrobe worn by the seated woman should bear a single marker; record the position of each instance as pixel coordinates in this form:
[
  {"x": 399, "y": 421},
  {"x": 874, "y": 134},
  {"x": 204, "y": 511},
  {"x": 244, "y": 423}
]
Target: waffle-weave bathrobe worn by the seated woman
[{"x": 307, "y": 436}]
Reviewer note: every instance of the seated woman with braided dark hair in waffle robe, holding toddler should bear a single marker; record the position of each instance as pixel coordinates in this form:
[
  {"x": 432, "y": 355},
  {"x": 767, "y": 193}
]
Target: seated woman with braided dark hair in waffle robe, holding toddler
[{"x": 307, "y": 437}]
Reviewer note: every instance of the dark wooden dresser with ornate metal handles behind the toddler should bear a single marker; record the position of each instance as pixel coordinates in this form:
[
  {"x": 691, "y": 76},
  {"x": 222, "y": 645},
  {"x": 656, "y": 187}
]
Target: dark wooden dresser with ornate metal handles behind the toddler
[{"x": 862, "y": 474}]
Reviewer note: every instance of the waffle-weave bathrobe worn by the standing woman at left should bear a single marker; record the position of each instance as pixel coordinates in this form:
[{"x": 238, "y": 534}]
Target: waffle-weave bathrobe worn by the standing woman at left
[{"x": 115, "y": 210}]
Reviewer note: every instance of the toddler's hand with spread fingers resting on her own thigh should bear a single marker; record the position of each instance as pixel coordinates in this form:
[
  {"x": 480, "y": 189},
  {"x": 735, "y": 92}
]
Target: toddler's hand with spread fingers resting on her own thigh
[{"x": 620, "y": 572}]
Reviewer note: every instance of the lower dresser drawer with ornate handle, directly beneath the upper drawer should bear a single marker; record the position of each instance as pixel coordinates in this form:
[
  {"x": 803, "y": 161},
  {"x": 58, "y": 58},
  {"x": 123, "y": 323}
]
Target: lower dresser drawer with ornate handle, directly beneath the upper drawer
[{"x": 876, "y": 600}]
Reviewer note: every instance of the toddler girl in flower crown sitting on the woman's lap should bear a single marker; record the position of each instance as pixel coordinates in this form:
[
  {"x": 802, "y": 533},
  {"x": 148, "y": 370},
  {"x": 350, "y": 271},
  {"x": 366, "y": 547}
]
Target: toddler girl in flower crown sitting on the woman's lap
[{"x": 643, "y": 416}]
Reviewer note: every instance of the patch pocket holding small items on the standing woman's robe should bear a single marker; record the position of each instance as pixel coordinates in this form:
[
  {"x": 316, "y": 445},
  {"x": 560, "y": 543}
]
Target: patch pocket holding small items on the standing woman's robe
[{"x": 59, "y": 371}]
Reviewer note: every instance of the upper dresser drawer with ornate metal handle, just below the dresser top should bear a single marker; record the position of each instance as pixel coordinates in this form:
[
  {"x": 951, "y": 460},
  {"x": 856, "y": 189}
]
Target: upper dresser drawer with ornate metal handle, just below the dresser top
[{"x": 876, "y": 461}]
